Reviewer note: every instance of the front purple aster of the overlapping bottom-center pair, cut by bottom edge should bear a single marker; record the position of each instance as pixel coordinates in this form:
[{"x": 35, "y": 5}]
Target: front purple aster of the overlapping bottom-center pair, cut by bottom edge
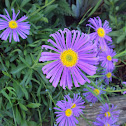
[{"x": 65, "y": 114}]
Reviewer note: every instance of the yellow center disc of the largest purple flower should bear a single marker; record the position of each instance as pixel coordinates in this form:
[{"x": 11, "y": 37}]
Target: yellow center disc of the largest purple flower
[{"x": 69, "y": 58}]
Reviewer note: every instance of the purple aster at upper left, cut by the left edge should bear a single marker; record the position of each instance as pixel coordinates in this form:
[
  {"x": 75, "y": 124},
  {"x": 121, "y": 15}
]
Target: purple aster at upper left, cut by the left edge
[{"x": 13, "y": 27}]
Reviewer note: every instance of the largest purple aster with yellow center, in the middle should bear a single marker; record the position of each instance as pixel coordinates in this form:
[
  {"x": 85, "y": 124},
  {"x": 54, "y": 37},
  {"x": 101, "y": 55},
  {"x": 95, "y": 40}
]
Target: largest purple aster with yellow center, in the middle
[{"x": 70, "y": 58}]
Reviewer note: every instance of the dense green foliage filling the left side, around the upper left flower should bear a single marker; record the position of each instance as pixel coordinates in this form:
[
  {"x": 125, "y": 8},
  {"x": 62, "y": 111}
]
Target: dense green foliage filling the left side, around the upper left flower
[{"x": 25, "y": 93}]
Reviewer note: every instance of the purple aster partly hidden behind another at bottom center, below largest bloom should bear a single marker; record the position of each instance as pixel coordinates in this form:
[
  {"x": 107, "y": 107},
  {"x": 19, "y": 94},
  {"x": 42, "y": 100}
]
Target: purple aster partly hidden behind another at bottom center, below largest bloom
[{"x": 76, "y": 104}]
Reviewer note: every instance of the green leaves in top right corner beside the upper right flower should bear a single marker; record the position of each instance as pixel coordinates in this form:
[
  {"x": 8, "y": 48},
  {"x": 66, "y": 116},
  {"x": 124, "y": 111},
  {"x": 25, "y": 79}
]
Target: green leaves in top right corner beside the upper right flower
[{"x": 116, "y": 11}]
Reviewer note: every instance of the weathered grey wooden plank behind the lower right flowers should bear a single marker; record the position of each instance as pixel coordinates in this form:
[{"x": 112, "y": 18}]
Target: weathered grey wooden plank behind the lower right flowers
[{"x": 91, "y": 112}]
